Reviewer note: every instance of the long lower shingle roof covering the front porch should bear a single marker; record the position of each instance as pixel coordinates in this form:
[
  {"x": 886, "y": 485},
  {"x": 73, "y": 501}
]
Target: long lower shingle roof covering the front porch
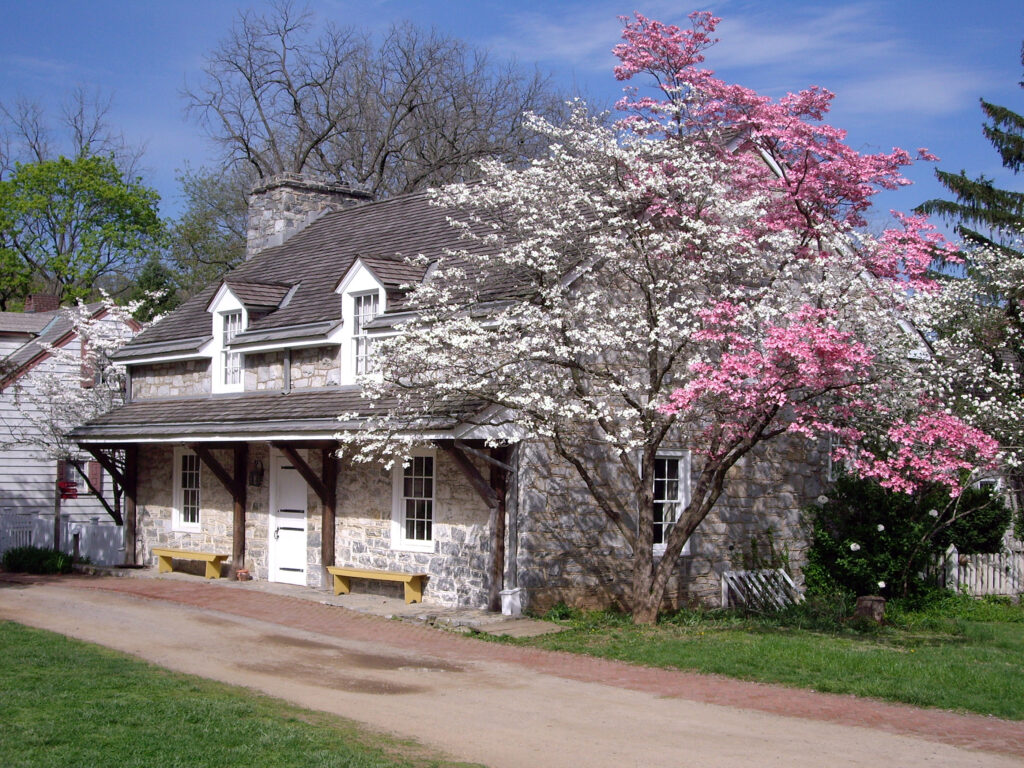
[{"x": 298, "y": 412}]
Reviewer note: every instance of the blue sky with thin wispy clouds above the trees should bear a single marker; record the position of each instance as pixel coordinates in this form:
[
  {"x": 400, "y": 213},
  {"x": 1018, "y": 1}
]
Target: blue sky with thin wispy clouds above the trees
[{"x": 906, "y": 73}]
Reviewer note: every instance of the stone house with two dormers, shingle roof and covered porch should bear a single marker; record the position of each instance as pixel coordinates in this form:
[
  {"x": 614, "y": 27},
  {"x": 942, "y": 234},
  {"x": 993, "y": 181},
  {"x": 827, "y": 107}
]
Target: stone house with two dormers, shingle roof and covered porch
[{"x": 230, "y": 428}]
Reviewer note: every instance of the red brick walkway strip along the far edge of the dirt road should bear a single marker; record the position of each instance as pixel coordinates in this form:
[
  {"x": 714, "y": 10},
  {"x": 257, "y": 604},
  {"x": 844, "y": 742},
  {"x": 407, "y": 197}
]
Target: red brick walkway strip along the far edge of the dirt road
[{"x": 987, "y": 734}]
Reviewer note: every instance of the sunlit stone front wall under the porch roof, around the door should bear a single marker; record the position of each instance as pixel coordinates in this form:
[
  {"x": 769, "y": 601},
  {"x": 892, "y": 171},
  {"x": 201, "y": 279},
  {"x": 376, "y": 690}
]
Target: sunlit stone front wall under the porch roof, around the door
[{"x": 457, "y": 568}]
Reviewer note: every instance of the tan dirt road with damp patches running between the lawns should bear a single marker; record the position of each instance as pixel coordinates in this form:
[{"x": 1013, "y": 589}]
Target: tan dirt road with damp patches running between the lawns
[{"x": 472, "y": 704}]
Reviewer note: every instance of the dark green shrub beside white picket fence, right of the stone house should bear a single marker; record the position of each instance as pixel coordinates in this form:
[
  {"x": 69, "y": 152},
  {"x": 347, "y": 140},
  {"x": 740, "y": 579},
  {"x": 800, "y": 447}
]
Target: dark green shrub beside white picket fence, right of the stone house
[{"x": 868, "y": 540}]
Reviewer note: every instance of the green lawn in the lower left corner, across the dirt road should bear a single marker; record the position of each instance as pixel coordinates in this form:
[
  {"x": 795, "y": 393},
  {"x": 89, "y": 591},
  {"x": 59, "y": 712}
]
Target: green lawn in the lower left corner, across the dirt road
[{"x": 65, "y": 703}]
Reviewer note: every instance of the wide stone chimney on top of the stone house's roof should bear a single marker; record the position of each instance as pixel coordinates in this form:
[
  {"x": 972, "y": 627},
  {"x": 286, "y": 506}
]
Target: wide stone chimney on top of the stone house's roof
[{"x": 285, "y": 204}]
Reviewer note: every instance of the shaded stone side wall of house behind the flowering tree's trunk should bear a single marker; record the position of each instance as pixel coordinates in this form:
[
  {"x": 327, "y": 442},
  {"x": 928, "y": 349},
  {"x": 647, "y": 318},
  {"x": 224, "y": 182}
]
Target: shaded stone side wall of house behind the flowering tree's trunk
[{"x": 570, "y": 552}]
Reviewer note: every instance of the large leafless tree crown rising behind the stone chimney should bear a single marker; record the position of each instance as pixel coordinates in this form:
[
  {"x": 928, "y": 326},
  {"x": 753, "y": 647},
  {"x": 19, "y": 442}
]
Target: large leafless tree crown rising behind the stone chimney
[{"x": 415, "y": 110}]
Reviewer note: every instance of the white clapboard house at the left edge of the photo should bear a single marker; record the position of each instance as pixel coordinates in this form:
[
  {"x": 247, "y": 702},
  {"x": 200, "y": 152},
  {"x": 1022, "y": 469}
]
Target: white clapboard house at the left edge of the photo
[{"x": 34, "y": 487}]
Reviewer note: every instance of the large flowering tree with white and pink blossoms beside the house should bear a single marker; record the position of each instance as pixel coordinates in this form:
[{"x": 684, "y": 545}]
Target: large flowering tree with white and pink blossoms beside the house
[{"x": 693, "y": 276}]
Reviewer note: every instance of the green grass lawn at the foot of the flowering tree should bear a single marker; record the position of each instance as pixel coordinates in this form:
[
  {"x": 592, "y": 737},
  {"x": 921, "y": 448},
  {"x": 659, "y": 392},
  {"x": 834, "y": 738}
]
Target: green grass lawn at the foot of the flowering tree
[{"x": 959, "y": 655}]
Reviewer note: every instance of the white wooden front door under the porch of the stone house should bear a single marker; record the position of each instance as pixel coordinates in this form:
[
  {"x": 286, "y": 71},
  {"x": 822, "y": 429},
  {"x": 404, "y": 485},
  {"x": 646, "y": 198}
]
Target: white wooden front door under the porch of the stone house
[{"x": 288, "y": 523}]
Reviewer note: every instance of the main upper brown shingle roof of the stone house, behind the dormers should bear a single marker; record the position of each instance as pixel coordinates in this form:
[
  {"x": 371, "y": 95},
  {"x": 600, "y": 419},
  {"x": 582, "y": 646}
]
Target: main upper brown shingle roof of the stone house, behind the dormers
[{"x": 382, "y": 234}]
